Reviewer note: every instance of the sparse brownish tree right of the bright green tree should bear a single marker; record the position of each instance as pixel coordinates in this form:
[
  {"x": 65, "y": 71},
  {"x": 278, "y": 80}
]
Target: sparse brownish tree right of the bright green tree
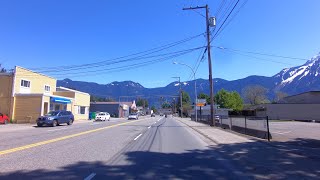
[{"x": 255, "y": 94}]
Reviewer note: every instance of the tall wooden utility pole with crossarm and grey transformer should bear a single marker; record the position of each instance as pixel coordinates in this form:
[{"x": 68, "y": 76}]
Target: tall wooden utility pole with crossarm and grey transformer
[{"x": 212, "y": 123}]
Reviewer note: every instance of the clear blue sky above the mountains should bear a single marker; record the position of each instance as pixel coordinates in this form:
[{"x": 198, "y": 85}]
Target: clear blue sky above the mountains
[{"x": 54, "y": 33}]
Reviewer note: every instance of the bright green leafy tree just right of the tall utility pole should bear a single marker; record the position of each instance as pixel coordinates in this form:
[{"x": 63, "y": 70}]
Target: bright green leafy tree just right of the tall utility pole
[{"x": 231, "y": 100}]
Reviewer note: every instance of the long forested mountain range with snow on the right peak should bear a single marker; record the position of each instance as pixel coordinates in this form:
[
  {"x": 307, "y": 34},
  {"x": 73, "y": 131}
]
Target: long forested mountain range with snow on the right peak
[{"x": 290, "y": 81}]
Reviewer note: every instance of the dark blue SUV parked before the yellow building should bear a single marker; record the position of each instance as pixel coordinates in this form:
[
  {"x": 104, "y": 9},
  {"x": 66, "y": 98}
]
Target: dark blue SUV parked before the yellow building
[{"x": 55, "y": 118}]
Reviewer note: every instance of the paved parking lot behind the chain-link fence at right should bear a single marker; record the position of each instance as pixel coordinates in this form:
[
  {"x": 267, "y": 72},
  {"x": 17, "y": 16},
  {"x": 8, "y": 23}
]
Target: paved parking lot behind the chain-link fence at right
[{"x": 303, "y": 133}]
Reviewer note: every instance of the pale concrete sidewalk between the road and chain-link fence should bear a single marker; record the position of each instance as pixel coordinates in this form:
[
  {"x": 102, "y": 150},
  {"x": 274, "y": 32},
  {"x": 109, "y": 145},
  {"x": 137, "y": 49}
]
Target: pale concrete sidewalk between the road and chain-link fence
[{"x": 217, "y": 135}]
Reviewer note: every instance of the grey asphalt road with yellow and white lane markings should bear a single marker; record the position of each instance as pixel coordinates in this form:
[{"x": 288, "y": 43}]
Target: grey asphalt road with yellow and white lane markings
[{"x": 148, "y": 148}]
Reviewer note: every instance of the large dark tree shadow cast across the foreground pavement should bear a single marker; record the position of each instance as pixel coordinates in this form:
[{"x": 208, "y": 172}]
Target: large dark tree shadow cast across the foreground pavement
[{"x": 252, "y": 160}]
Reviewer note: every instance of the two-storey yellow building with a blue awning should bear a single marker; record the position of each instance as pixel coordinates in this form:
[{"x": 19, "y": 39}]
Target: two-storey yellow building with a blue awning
[{"x": 26, "y": 95}]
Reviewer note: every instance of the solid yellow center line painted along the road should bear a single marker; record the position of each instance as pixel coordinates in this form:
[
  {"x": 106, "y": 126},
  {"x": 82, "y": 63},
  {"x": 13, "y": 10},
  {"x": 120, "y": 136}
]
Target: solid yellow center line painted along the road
[{"x": 60, "y": 138}]
